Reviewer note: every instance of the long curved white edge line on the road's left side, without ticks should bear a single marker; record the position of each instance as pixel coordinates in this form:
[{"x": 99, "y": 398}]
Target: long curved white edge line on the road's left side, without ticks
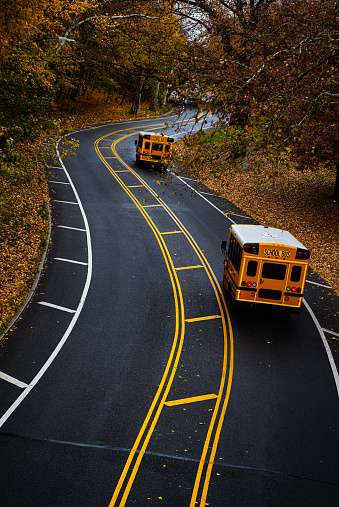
[{"x": 71, "y": 325}]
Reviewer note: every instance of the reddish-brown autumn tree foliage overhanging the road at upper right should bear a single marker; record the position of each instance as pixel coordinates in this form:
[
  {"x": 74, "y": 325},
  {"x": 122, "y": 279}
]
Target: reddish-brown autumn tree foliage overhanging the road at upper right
[{"x": 270, "y": 68}]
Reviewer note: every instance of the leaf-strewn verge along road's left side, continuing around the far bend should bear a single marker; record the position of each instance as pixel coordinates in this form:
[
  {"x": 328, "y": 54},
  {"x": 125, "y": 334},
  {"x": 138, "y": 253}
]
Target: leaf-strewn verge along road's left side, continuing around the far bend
[{"x": 24, "y": 199}]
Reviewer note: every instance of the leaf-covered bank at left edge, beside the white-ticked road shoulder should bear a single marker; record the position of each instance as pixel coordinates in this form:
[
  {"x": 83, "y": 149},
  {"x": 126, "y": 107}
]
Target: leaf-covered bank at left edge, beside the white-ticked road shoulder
[{"x": 23, "y": 234}]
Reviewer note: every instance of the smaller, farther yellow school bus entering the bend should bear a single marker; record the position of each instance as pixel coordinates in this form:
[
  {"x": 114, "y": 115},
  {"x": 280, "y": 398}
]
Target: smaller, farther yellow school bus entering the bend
[{"x": 151, "y": 147}]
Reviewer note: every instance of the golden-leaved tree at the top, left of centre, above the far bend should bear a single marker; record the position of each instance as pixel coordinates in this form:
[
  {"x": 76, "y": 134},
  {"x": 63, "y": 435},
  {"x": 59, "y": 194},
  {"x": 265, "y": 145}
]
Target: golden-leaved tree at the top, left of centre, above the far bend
[{"x": 117, "y": 45}]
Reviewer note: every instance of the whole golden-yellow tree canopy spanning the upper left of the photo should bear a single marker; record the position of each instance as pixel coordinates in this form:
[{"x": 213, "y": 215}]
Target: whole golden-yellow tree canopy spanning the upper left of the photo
[{"x": 50, "y": 52}]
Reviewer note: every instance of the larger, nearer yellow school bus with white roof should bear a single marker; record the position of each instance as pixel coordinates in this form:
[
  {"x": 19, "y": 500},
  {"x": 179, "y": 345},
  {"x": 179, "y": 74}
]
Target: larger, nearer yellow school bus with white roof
[{"x": 264, "y": 266}]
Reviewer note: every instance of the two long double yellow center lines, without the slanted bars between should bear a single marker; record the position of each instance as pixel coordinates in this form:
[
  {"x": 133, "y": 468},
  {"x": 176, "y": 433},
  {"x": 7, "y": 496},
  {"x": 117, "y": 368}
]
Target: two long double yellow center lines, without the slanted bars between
[{"x": 139, "y": 448}]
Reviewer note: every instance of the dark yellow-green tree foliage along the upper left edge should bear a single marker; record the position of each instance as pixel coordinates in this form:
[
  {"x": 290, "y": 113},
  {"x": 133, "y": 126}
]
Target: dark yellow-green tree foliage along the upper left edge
[{"x": 26, "y": 82}]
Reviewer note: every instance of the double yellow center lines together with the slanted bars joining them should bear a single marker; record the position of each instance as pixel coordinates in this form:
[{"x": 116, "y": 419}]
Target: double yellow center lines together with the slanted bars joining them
[{"x": 138, "y": 450}]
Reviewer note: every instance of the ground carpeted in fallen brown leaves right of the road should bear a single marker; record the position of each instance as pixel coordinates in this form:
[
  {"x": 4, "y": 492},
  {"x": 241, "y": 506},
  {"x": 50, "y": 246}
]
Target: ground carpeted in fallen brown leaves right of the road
[{"x": 284, "y": 197}]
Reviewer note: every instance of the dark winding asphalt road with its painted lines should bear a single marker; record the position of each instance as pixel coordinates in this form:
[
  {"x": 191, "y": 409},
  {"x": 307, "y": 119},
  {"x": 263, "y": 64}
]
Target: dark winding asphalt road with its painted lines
[{"x": 126, "y": 380}]
